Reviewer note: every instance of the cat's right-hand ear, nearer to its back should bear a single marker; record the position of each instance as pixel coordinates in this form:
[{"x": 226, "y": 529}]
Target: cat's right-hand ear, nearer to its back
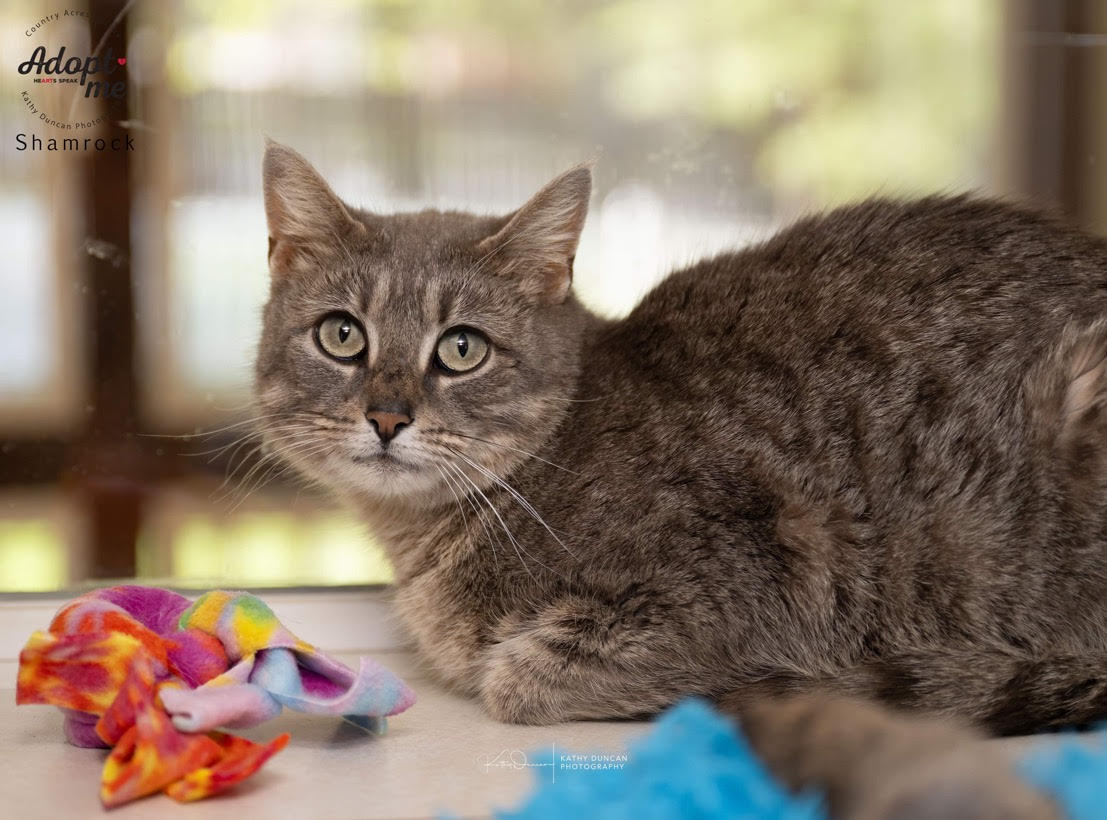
[{"x": 540, "y": 242}]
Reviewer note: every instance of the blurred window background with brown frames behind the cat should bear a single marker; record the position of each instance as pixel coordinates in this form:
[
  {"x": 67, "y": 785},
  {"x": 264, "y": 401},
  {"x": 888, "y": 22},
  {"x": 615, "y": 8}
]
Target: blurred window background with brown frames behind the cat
[{"x": 131, "y": 283}]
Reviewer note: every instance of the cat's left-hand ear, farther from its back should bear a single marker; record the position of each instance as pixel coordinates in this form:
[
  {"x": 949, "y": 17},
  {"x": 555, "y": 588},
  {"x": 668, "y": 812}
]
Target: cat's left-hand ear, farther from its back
[{"x": 306, "y": 219}]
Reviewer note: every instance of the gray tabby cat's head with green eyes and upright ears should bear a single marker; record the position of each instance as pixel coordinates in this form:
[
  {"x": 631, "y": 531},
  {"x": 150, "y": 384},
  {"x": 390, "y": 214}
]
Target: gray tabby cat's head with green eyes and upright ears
[{"x": 406, "y": 355}]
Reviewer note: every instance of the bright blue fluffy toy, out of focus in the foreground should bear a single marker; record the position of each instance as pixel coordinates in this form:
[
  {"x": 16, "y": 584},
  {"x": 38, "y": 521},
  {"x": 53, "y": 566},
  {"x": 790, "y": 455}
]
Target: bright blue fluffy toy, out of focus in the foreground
[{"x": 696, "y": 764}]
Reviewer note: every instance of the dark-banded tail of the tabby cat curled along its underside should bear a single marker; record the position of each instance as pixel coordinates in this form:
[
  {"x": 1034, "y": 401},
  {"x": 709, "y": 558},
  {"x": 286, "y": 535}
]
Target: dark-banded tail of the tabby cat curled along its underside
[{"x": 1000, "y": 690}]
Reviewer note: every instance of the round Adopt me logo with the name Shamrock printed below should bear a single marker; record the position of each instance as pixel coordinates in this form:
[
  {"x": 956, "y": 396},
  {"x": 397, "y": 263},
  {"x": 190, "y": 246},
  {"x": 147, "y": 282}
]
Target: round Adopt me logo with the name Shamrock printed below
[{"x": 67, "y": 84}]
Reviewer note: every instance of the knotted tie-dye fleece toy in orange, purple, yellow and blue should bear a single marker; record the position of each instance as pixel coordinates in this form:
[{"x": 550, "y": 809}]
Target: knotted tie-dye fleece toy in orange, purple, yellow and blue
[{"x": 152, "y": 676}]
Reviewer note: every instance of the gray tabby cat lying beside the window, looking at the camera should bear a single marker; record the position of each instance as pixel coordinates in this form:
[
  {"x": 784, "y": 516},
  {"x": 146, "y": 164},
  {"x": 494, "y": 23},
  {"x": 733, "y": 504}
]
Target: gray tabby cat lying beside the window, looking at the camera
[{"x": 861, "y": 463}]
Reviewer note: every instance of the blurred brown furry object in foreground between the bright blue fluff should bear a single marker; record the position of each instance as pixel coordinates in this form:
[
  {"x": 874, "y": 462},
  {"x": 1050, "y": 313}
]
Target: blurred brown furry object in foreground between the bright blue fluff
[{"x": 872, "y": 763}]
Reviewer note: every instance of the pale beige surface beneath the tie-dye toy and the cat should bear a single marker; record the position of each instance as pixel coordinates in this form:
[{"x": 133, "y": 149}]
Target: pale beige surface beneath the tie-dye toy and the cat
[{"x": 442, "y": 756}]
